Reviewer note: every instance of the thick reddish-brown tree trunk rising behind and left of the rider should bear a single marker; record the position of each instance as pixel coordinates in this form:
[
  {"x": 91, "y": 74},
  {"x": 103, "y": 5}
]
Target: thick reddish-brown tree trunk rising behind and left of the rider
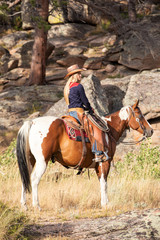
[{"x": 38, "y": 65}]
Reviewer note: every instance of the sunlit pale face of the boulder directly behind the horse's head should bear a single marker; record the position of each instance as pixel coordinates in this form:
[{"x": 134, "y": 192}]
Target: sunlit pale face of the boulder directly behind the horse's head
[{"x": 145, "y": 87}]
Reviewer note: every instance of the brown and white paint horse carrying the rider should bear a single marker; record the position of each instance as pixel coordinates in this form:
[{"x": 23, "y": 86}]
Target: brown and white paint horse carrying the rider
[{"x": 41, "y": 138}]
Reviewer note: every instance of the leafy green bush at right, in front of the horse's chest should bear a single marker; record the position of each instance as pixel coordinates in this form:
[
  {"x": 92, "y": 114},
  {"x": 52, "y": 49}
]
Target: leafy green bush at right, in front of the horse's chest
[{"x": 145, "y": 163}]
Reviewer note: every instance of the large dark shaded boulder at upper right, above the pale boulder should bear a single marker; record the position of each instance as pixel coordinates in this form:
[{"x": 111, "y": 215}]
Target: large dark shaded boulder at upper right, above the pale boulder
[{"x": 138, "y": 47}]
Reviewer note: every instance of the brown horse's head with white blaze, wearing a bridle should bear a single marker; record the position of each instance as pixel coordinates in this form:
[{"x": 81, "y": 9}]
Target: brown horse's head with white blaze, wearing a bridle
[{"x": 137, "y": 121}]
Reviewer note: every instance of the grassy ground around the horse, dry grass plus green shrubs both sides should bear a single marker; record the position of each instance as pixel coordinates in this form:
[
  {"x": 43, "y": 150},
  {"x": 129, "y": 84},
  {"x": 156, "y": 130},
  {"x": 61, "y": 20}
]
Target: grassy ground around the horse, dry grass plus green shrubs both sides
[{"x": 132, "y": 184}]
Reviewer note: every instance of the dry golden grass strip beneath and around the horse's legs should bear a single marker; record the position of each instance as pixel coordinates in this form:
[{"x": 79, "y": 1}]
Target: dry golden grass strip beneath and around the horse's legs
[{"x": 73, "y": 197}]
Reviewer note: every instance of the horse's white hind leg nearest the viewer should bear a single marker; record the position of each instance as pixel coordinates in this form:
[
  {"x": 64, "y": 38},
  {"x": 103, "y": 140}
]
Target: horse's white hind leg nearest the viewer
[{"x": 35, "y": 179}]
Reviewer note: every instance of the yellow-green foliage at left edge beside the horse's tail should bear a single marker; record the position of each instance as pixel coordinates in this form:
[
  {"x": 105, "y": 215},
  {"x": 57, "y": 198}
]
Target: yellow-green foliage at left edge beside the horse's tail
[{"x": 9, "y": 155}]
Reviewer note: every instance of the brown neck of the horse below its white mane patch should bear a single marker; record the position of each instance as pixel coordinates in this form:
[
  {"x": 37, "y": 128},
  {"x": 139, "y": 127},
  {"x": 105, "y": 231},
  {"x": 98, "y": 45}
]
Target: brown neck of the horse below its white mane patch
[{"x": 116, "y": 125}]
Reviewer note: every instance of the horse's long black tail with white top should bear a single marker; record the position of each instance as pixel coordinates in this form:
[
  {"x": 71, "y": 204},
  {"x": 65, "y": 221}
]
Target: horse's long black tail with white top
[{"x": 22, "y": 151}]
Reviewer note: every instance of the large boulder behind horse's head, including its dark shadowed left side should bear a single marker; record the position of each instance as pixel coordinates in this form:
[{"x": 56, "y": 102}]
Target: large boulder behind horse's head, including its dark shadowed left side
[{"x": 142, "y": 86}]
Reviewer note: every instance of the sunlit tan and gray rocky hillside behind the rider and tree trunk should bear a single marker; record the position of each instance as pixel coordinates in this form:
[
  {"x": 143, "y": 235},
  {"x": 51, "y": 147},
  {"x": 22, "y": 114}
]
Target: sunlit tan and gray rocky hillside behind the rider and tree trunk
[{"x": 108, "y": 86}]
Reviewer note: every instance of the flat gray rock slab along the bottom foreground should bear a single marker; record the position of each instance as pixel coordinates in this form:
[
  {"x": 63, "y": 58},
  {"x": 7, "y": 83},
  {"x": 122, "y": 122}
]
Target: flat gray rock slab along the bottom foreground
[{"x": 140, "y": 225}]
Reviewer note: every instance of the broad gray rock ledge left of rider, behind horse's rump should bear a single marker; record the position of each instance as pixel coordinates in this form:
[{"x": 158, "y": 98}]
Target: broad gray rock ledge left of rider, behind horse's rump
[{"x": 18, "y": 103}]
